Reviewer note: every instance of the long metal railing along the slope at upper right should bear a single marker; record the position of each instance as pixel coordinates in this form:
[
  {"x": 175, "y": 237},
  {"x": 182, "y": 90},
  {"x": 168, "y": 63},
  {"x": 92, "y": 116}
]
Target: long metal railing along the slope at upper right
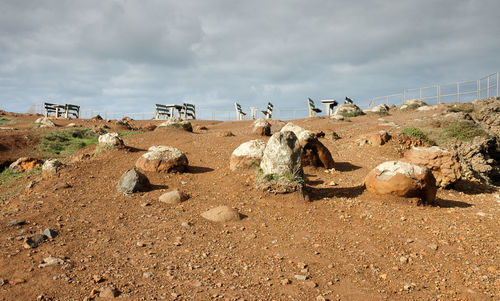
[{"x": 459, "y": 91}]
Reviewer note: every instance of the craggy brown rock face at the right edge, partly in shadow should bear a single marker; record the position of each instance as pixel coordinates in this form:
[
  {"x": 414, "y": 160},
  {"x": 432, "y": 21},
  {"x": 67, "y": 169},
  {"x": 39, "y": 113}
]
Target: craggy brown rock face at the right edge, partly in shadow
[{"x": 480, "y": 159}]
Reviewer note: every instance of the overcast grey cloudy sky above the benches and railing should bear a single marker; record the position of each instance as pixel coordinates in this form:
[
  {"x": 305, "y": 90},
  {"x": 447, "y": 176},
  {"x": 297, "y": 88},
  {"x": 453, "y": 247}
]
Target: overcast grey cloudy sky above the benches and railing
[{"x": 127, "y": 55}]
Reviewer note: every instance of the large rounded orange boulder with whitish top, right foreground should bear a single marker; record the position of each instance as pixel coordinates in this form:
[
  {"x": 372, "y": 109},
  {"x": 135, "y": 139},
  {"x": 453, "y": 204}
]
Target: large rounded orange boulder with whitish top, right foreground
[{"x": 402, "y": 179}]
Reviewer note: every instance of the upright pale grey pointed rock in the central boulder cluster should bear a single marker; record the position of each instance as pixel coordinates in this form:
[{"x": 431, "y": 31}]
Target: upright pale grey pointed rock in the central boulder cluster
[{"x": 282, "y": 155}]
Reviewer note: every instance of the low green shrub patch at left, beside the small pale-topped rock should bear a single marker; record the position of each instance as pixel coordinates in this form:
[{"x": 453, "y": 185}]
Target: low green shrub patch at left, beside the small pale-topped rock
[{"x": 67, "y": 141}]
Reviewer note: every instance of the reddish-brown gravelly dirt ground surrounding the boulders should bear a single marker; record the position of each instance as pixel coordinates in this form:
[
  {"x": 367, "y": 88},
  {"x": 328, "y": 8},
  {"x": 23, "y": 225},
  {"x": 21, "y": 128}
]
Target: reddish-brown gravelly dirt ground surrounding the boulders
[{"x": 345, "y": 244}]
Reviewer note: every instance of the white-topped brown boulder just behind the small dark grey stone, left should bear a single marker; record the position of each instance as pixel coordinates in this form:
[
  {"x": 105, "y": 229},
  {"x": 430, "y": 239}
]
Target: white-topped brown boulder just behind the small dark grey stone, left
[{"x": 162, "y": 159}]
